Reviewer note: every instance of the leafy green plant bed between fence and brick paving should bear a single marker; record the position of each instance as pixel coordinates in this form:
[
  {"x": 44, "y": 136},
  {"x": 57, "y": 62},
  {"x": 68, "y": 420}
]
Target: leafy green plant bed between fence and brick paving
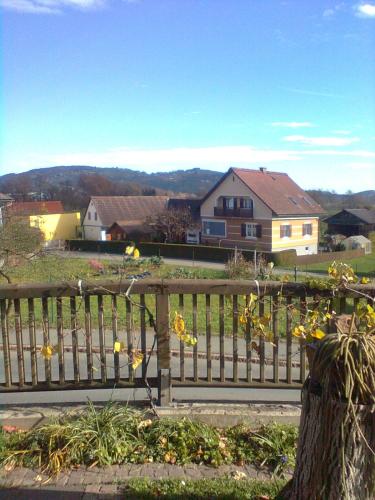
[{"x": 117, "y": 434}]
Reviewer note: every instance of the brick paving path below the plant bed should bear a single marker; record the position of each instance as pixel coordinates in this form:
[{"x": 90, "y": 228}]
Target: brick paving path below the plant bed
[{"x": 104, "y": 483}]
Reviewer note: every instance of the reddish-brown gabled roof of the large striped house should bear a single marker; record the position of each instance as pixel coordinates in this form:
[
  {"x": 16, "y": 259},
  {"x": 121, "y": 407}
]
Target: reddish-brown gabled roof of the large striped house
[{"x": 277, "y": 190}]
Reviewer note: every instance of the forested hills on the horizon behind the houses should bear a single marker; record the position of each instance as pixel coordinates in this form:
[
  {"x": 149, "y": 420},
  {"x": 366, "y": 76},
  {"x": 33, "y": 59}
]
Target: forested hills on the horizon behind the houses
[{"x": 73, "y": 185}]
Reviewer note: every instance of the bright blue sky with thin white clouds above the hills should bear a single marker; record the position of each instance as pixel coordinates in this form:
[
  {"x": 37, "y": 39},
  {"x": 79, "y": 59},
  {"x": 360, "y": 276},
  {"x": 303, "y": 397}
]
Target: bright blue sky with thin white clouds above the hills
[{"x": 168, "y": 84}]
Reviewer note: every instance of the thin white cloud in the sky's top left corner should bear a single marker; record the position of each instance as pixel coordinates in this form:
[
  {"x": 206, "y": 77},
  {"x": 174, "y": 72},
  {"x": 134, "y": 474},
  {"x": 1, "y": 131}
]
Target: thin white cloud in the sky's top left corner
[{"x": 50, "y": 6}]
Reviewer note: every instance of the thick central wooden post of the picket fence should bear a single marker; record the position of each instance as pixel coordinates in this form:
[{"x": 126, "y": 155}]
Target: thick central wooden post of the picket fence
[{"x": 163, "y": 349}]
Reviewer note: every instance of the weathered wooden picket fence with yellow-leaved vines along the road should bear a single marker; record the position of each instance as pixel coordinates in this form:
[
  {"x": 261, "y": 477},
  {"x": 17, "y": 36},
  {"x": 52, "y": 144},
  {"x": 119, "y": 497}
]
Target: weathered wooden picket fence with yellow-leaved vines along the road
[{"x": 80, "y": 324}]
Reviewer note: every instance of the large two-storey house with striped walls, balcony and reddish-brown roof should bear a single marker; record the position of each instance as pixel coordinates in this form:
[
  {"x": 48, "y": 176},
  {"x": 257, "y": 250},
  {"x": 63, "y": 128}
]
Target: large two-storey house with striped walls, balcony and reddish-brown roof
[{"x": 262, "y": 210}]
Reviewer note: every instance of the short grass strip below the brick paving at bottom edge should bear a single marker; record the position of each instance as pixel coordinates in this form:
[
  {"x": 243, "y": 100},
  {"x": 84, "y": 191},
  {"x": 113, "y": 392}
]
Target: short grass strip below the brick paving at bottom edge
[{"x": 223, "y": 488}]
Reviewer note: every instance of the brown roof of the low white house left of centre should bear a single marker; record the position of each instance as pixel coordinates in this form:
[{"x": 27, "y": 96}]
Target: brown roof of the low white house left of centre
[{"x": 127, "y": 208}]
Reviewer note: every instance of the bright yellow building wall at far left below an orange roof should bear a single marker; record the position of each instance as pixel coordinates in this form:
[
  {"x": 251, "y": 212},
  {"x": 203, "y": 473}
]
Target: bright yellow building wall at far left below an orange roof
[{"x": 57, "y": 226}]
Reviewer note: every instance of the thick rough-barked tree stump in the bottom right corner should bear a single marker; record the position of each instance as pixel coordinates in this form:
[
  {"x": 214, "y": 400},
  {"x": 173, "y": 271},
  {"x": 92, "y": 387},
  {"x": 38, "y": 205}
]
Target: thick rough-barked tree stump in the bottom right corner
[{"x": 322, "y": 471}]
